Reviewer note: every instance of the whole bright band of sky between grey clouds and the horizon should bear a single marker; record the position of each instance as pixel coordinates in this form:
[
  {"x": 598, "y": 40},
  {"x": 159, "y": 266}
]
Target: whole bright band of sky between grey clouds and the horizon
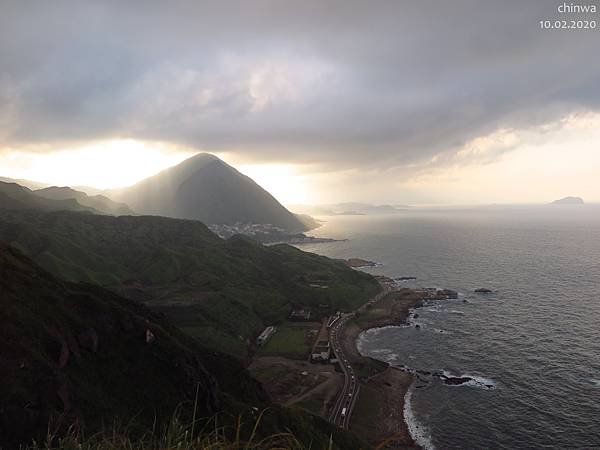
[{"x": 534, "y": 165}]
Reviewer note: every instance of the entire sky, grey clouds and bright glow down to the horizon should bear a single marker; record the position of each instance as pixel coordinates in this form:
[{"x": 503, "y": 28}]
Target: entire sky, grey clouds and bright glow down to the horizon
[{"x": 321, "y": 101}]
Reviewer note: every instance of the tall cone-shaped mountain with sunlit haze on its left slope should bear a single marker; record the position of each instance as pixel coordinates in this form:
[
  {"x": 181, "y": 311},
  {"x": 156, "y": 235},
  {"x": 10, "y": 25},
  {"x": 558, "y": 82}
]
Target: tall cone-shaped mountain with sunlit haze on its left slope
[{"x": 205, "y": 188}]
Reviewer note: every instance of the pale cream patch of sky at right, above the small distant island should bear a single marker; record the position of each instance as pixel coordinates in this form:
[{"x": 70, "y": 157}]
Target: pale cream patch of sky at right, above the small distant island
[{"x": 535, "y": 165}]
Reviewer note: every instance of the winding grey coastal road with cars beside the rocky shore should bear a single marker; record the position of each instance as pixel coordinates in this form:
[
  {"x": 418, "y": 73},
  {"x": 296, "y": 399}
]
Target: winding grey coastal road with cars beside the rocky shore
[{"x": 340, "y": 415}]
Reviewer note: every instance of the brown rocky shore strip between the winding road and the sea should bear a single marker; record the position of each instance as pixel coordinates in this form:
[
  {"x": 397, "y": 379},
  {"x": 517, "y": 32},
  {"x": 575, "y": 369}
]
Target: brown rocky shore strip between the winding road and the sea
[{"x": 382, "y": 421}]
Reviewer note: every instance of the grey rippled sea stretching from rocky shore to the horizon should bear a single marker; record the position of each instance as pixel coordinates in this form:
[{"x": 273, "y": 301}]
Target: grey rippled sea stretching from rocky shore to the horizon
[{"x": 536, "y": 340}]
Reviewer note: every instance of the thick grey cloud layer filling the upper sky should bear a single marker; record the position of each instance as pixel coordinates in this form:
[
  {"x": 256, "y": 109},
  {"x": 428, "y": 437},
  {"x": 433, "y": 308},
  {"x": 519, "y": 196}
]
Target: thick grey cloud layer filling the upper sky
[{"x": 384, "y": 82}]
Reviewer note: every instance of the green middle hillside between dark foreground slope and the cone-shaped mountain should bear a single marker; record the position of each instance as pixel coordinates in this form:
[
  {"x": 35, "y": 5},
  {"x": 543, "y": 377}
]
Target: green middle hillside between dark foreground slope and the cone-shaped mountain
[{"x": 223, "y": 292}]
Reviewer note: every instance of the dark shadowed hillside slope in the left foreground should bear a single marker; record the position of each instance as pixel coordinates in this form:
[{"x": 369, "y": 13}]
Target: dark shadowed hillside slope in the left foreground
[{"x": 78, "y": 354}]
